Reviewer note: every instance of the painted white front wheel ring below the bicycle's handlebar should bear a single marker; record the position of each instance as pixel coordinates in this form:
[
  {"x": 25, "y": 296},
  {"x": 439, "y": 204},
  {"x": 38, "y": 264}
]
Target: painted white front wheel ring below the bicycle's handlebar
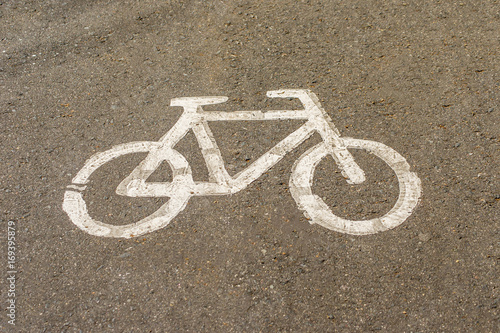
[{"x": 315, "y": 208}]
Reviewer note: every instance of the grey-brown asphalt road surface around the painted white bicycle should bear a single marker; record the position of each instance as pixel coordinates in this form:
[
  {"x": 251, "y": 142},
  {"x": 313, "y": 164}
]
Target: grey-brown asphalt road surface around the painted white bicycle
[{"x": 80, "y": 77}]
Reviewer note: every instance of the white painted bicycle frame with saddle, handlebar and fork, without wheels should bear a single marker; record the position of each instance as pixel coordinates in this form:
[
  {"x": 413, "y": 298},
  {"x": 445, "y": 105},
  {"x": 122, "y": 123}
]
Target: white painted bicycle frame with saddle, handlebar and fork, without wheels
[{"x": 221, "y": 183}]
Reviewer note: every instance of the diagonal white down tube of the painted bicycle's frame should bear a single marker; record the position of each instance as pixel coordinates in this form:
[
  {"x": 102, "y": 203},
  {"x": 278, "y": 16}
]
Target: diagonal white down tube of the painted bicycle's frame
[{"x": 273, "y": 156}]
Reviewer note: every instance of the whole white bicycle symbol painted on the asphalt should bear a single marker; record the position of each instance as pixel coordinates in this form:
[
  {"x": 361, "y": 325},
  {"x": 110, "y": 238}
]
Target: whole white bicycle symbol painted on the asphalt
[{"x": 183, "y": 187}]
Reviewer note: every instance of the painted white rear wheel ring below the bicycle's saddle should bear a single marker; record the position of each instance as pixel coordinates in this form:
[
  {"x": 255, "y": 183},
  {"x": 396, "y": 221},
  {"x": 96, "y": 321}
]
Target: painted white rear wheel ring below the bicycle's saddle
[{"x": 74, "y": 204}]
